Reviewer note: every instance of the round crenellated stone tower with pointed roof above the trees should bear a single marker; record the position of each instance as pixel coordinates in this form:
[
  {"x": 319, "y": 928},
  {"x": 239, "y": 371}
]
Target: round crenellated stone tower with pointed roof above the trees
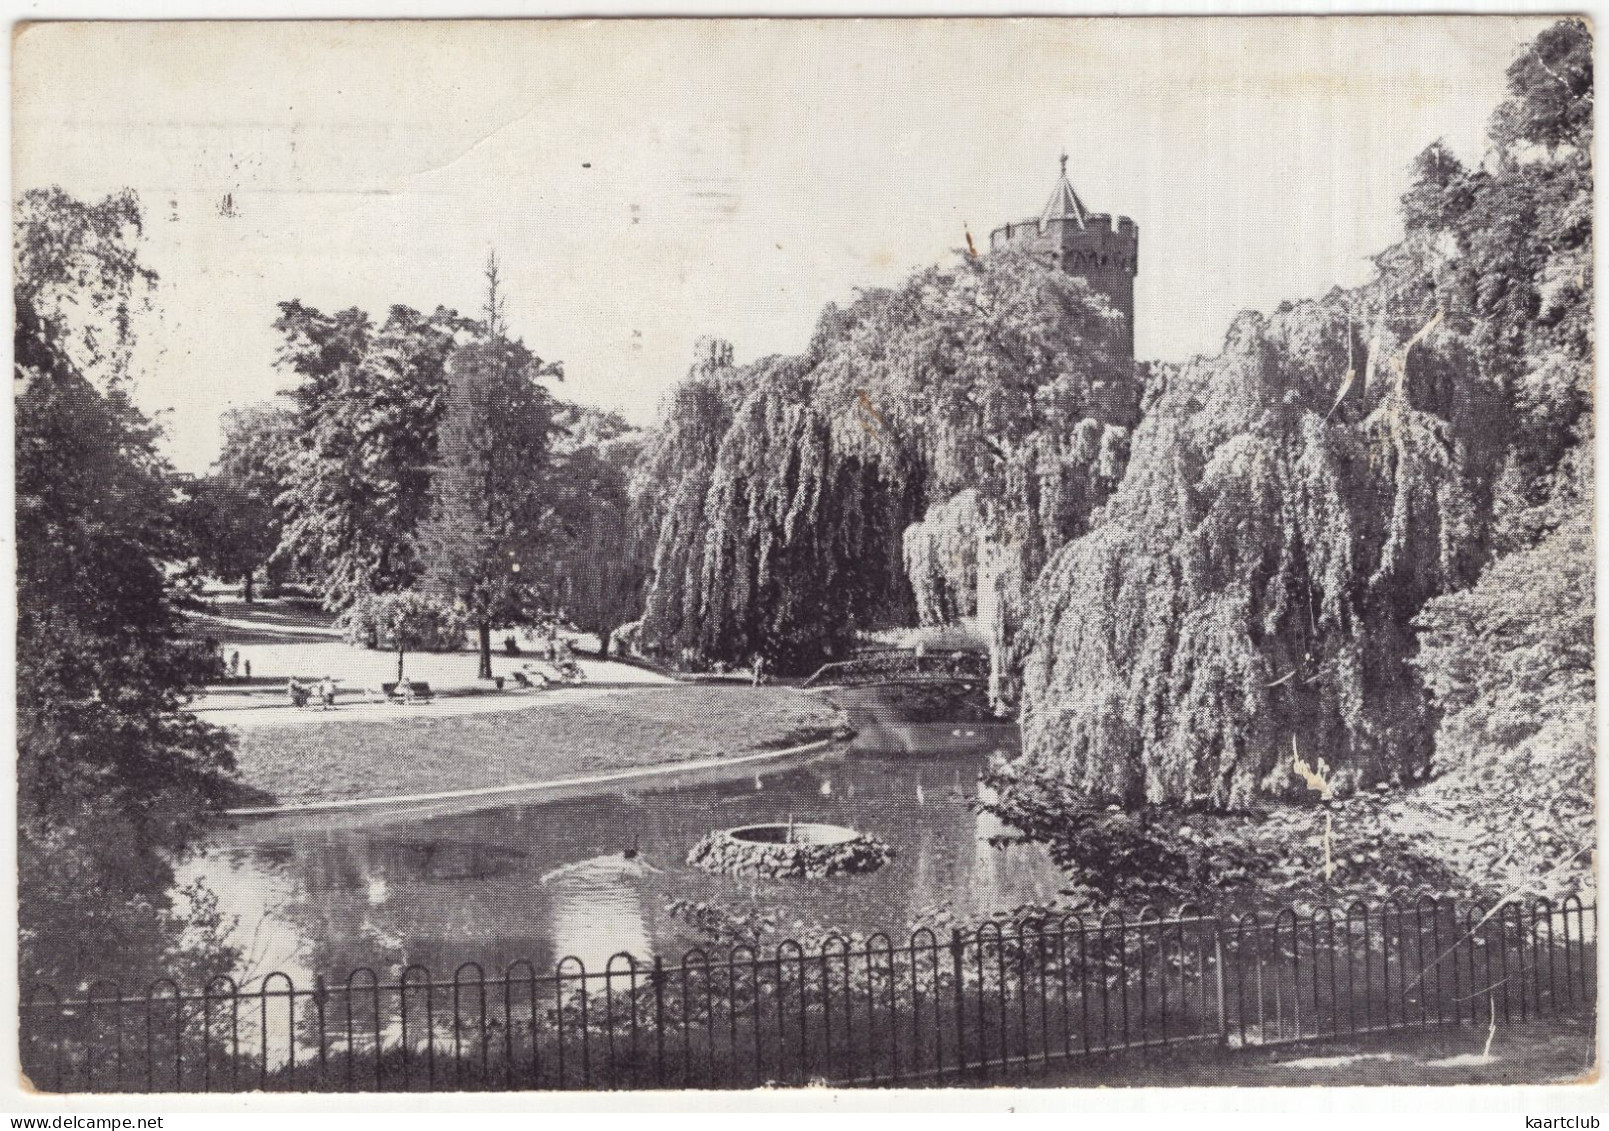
[{"x": 1100, "y": 249}]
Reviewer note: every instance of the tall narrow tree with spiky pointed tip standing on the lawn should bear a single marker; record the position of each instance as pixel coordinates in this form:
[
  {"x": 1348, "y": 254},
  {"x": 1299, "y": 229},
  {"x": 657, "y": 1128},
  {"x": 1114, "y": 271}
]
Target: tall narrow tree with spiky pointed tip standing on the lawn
[{"x": 492, "y": 503}]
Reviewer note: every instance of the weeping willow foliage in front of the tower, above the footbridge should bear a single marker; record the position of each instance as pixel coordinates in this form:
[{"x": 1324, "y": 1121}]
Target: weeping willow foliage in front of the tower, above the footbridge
[{"x": 920, "y": 461}]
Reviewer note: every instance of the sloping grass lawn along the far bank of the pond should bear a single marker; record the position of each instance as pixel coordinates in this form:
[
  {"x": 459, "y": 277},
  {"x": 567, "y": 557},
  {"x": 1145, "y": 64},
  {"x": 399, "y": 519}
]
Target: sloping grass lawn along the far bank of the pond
[{"x": 424, "y": 755}]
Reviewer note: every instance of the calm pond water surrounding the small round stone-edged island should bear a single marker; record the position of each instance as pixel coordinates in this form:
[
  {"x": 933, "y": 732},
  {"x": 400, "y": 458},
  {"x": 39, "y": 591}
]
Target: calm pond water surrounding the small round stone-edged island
[{"x": 326, "y": 894}]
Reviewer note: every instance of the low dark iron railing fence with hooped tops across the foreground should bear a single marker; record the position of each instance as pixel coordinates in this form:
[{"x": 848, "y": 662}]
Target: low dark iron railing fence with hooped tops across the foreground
[{"x": 973, "y": 1006}]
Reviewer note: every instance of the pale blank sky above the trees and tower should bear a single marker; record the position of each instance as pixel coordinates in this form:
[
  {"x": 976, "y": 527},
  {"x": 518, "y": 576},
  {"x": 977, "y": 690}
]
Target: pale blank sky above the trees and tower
[{"x": 651, "y": 183}]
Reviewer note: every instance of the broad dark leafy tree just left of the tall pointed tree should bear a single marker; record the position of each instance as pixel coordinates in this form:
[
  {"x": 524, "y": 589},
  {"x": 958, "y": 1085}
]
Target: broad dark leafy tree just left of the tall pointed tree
[{"x": 369, "y": 408}]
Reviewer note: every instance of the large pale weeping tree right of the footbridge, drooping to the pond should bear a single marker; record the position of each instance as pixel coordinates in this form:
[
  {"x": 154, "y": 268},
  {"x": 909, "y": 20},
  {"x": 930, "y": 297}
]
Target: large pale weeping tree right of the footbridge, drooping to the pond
[{"x": 1248, "y": 598}]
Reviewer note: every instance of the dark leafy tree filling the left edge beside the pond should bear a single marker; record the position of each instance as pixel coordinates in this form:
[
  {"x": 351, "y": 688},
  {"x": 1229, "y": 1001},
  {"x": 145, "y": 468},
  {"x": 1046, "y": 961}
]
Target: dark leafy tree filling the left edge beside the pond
[{"x": 113, "y": 775}]
